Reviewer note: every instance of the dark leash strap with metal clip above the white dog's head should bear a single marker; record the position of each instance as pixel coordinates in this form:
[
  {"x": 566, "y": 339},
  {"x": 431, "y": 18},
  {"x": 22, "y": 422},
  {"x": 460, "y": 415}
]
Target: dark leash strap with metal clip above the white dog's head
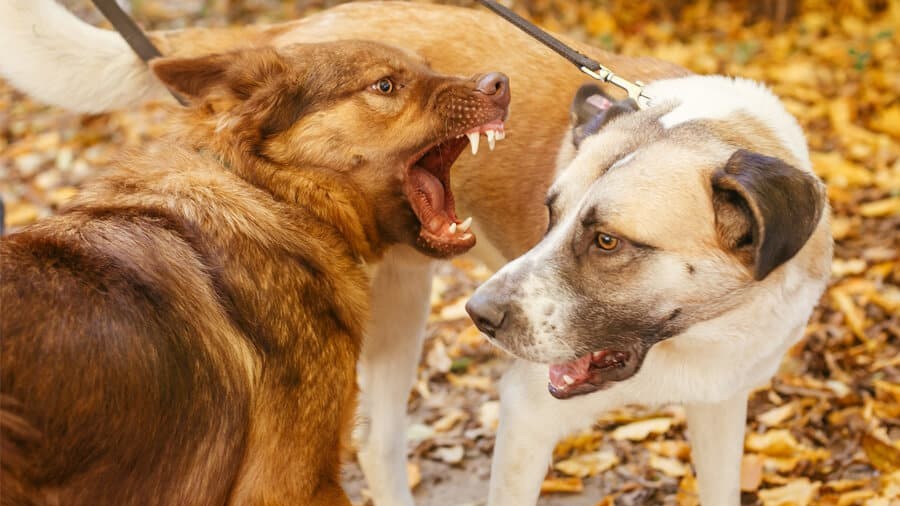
[{"x": 587, "y": 65}]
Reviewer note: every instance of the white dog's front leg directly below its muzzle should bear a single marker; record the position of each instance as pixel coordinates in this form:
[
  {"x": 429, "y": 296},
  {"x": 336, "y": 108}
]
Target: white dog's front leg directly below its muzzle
[{"x": 531, "y": 422}]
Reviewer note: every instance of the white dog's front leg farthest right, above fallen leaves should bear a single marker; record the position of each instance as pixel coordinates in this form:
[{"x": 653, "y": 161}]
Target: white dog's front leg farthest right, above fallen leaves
[{"x": 717, "y": 444}]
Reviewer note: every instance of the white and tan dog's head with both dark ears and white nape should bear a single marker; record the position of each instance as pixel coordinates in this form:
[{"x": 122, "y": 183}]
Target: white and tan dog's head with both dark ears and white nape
[{"x": 663, "y": 218}]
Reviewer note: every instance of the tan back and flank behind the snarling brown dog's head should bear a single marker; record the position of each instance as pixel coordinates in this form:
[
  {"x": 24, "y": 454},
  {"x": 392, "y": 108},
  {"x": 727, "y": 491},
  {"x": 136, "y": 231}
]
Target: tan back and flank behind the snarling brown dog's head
[{"x": 491, "y": 186}]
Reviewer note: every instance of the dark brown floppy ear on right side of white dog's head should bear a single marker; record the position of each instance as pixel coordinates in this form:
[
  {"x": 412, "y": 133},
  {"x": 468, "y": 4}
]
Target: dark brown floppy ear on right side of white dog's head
[{"x": 765, "y": 209}]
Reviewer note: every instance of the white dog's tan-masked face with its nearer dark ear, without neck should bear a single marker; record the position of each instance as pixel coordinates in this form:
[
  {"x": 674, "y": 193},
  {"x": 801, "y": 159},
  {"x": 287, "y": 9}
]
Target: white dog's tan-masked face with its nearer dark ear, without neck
[{"x": 641, "y": 247}]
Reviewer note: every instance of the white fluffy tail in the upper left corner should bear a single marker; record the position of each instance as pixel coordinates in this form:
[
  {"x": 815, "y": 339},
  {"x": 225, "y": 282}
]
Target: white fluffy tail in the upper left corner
[{"x": 56, "y": 58}]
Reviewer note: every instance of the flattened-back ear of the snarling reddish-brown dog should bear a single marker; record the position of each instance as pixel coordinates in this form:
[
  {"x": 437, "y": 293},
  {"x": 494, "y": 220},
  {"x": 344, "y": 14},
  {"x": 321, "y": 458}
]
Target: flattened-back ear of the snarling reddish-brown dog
[{"x": 238, "y": 72}]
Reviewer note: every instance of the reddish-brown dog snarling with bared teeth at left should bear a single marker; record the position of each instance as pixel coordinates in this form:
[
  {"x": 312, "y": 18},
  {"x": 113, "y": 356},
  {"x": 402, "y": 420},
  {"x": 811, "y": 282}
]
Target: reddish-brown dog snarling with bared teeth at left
[{"x": 187, "y": 331}]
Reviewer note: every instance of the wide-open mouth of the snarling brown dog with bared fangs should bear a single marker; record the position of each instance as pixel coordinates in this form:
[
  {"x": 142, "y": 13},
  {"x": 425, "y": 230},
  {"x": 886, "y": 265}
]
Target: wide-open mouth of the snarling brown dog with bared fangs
[{"x": 428, "y": 189}]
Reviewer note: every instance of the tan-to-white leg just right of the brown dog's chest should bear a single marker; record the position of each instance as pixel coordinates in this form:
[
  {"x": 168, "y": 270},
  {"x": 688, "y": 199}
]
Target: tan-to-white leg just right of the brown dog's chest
[{"x": 401, "y": 290}]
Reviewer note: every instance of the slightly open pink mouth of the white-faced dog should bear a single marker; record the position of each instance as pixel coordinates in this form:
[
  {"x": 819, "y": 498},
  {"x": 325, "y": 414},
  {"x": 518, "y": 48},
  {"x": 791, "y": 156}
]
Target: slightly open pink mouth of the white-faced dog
[{"x": 592, "y": 372}]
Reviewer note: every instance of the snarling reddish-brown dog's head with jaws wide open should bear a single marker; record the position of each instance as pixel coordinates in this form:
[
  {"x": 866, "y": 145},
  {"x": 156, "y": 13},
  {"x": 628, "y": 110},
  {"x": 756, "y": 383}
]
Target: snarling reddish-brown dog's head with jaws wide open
[{"x": 369, "y": 119}]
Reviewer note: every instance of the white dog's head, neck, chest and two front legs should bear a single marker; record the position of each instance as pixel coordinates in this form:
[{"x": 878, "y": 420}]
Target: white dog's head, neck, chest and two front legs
[{"x": 720, "y": 248}]
